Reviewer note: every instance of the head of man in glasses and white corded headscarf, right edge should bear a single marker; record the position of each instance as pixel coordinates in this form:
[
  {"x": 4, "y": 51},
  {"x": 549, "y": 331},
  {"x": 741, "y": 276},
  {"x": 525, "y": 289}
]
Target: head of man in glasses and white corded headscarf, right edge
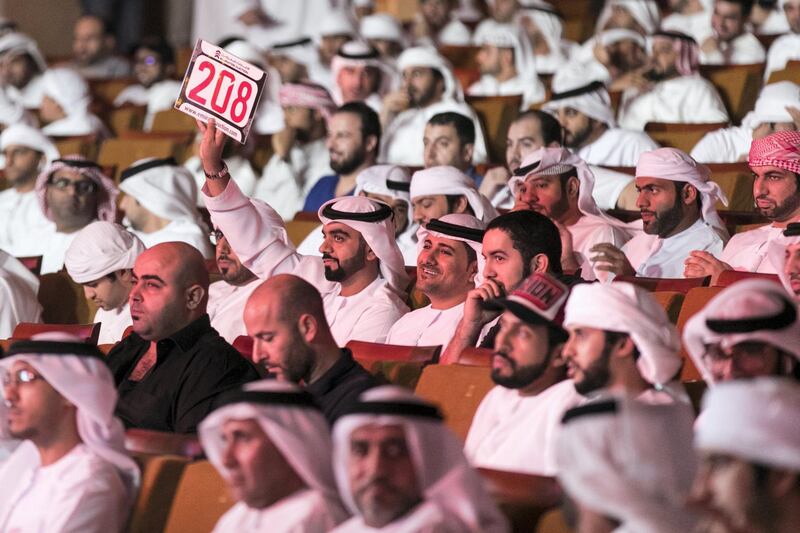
[{"x": 748, "y": 330}]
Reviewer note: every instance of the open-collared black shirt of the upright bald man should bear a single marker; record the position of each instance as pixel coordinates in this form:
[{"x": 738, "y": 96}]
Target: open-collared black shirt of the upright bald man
[{"x": 193, "y": 366}]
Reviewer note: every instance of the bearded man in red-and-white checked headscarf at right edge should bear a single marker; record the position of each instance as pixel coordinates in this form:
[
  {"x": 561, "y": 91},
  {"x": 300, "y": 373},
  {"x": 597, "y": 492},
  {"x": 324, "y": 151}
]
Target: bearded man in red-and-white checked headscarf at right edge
[{"x": 775, "y": 162}]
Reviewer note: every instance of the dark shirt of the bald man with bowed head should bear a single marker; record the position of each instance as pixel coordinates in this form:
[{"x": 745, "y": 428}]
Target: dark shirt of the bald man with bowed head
[{"x": 339, "y": 388}]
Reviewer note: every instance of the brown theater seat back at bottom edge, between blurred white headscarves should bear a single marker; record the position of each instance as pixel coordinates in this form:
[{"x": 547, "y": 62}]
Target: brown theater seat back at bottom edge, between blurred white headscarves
[{"x": 523, "y": 498}]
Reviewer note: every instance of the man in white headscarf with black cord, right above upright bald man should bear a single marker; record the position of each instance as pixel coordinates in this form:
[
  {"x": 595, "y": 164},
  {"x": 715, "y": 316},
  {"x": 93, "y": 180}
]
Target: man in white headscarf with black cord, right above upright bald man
[{"x": 159, "y": 204}]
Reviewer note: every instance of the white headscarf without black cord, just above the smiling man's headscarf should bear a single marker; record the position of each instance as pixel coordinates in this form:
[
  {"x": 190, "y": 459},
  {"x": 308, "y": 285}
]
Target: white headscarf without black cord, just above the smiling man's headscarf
[{"x": 445, "y": 179}]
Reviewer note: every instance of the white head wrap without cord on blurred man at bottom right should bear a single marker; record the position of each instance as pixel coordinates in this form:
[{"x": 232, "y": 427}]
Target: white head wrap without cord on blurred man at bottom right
[{"x": 757, "y": 420}]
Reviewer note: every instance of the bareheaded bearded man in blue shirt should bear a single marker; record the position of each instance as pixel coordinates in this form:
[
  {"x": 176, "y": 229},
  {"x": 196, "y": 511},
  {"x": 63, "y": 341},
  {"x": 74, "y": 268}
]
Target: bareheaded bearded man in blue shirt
[{"x": 354, "y": 135}]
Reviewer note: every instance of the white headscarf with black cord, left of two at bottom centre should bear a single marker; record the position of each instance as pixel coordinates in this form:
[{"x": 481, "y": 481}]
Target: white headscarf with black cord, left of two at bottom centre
[{"x": 289, "y": 418}]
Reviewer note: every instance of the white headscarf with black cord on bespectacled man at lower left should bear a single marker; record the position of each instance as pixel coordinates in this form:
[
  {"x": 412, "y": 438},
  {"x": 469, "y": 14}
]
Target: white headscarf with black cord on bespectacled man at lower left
[{"x": 86, "y": 382}]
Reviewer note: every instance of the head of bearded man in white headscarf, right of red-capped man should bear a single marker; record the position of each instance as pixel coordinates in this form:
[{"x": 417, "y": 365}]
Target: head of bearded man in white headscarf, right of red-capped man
[{"x": 620, "y": 343}]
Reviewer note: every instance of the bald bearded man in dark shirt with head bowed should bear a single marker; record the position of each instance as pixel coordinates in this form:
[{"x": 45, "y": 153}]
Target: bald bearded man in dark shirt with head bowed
[{"x": 293, "y": 342}]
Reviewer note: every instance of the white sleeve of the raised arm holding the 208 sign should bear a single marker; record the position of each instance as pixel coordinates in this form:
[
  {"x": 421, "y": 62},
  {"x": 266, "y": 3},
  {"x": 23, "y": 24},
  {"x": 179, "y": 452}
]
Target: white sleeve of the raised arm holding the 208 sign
[{"x": 257, "y": 237}]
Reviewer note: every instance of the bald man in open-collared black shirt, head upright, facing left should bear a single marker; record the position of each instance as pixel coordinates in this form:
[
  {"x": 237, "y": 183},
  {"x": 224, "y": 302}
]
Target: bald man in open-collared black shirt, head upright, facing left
[{"x": 172, "y": 367}]
